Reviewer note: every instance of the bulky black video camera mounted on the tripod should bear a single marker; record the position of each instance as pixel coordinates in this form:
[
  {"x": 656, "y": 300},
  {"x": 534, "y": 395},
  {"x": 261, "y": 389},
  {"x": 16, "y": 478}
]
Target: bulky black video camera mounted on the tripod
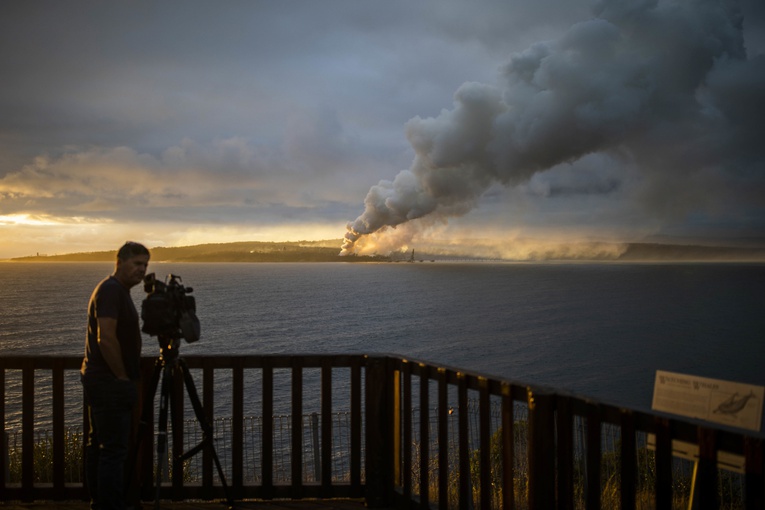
[{"x": 168, "y": 311}]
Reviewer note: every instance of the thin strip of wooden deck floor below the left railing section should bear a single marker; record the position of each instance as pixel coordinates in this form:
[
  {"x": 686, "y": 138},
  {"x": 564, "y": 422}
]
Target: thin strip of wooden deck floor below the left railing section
[{"x": 323, "y": 504}]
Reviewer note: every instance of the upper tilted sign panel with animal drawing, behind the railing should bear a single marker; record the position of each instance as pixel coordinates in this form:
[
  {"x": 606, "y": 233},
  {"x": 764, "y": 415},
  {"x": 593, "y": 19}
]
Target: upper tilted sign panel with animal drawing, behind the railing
[{"x": 724, "y": 402}]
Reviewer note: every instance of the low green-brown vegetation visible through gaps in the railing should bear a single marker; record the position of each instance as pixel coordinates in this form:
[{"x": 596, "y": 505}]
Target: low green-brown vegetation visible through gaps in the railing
[{"x": 730, "y": 486}]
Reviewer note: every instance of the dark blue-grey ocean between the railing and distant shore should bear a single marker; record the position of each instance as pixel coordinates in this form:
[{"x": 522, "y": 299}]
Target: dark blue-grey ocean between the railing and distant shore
[{"x": 599, "y": 330}]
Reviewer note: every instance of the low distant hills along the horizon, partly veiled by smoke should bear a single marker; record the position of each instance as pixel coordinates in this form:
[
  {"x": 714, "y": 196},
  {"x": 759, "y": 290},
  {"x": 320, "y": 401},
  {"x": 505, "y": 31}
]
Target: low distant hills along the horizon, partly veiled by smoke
[{"x": 328, "y": 251}]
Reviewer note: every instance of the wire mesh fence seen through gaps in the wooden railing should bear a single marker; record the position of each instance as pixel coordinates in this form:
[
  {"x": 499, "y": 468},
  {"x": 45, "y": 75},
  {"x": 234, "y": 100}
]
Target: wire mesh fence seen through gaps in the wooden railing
[{"x": 731, "y": 485}]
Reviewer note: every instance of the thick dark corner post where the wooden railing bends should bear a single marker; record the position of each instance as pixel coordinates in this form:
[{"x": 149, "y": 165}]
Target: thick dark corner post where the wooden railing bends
[{"x": 378, "y": 434}]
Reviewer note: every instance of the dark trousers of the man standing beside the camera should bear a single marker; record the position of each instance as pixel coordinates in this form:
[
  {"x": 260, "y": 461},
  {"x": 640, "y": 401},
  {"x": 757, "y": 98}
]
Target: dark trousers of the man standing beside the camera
[{"x": 110, "y": 410}]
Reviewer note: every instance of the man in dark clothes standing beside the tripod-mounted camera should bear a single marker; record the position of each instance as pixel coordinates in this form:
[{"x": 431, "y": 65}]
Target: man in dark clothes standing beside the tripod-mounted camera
[{"x": 110, "y": 373}]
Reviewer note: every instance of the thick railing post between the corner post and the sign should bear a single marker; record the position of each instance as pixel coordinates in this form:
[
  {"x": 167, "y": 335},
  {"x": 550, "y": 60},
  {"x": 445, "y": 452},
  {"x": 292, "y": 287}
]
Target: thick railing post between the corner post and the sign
[{"x": 541, "y": 450}]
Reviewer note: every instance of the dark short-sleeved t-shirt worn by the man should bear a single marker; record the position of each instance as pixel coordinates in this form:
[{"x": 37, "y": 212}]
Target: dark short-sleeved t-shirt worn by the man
[{"x": 111, "y": 299}]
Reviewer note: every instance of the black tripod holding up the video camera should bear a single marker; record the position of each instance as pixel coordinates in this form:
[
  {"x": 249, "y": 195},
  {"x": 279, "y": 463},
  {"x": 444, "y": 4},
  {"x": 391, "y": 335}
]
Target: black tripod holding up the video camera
[{"x": 166, "y": 364}]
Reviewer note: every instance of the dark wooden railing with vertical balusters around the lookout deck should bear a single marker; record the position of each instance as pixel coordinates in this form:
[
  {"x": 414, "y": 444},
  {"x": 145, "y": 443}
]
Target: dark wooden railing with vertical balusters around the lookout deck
[{"x": 405, "y": 447}]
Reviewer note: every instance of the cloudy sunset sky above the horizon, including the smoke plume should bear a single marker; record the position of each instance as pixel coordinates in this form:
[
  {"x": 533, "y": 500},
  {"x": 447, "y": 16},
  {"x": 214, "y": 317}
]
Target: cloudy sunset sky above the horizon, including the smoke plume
[{"x": 394, "y": 124}]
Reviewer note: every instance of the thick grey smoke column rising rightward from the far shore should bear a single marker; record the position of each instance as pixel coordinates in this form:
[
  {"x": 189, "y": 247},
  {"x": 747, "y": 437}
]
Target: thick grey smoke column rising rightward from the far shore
[{"x": 657, "y": 81}]
